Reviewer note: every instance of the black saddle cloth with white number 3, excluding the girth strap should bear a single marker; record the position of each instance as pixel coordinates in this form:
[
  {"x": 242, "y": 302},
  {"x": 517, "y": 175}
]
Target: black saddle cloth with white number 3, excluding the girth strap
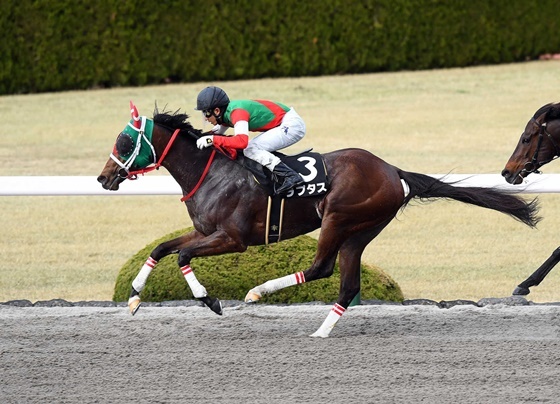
[{"x": 308, "y": 164}]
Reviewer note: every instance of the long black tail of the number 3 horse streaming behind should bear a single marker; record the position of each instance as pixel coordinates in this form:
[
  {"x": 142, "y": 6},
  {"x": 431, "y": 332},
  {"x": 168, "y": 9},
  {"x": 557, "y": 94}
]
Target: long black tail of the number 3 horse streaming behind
[{"x": 426, "y": 188}]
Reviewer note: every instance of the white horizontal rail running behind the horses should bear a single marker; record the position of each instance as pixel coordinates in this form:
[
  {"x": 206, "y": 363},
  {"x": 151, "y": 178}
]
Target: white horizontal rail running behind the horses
[{"x": 166, "y": 185}]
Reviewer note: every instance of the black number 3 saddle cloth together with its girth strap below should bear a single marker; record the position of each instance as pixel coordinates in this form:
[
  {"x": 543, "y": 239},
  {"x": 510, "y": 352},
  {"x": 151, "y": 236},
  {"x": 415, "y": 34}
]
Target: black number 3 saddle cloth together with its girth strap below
[{"x": 313, "y": 171}]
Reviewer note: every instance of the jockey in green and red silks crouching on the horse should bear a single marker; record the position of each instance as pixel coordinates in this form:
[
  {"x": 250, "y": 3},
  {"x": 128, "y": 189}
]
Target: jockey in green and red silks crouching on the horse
[{"x": 280, "y": 127}]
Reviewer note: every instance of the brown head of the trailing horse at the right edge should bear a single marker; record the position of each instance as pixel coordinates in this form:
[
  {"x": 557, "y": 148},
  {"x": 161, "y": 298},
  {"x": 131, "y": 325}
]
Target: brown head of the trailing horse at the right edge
[{"x": 539, "y": 144}]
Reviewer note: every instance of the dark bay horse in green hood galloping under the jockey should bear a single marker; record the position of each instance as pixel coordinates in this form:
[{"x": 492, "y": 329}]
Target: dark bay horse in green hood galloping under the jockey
[{"x": 229, "y": 208}]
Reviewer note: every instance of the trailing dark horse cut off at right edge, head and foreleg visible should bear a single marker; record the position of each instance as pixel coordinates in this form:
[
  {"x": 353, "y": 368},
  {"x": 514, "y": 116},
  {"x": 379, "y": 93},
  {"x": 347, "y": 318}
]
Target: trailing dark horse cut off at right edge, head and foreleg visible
[{"x": 538, "y": 145}]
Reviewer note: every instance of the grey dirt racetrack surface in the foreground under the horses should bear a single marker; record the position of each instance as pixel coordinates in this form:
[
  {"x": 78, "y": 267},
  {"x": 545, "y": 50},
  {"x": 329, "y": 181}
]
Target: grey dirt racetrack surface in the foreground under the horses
[{"x": 262, "y": 354}]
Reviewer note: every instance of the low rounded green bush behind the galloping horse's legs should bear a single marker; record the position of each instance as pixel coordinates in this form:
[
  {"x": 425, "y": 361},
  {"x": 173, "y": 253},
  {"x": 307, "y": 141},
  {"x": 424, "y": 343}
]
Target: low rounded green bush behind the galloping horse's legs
[{"x": 231, "y": 276}]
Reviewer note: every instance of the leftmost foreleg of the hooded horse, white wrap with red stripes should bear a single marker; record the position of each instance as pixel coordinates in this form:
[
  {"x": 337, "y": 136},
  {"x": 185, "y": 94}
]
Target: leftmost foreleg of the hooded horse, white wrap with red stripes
[{"x": 162, "y": 250}]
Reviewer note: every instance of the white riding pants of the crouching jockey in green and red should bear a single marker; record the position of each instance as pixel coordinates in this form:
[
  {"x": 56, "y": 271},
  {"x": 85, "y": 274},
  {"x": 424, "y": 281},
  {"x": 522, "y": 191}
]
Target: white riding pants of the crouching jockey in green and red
[{"x": 290, "y": 131}]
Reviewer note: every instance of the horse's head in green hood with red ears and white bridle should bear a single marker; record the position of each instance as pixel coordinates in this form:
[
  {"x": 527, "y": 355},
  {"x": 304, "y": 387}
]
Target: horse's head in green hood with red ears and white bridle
[{"x": 133, "y": 150}]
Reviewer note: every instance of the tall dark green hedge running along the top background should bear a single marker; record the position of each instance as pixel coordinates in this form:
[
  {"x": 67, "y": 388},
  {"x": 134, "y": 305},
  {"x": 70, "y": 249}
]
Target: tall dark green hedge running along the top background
[{"x": 66, "y": 44}]
